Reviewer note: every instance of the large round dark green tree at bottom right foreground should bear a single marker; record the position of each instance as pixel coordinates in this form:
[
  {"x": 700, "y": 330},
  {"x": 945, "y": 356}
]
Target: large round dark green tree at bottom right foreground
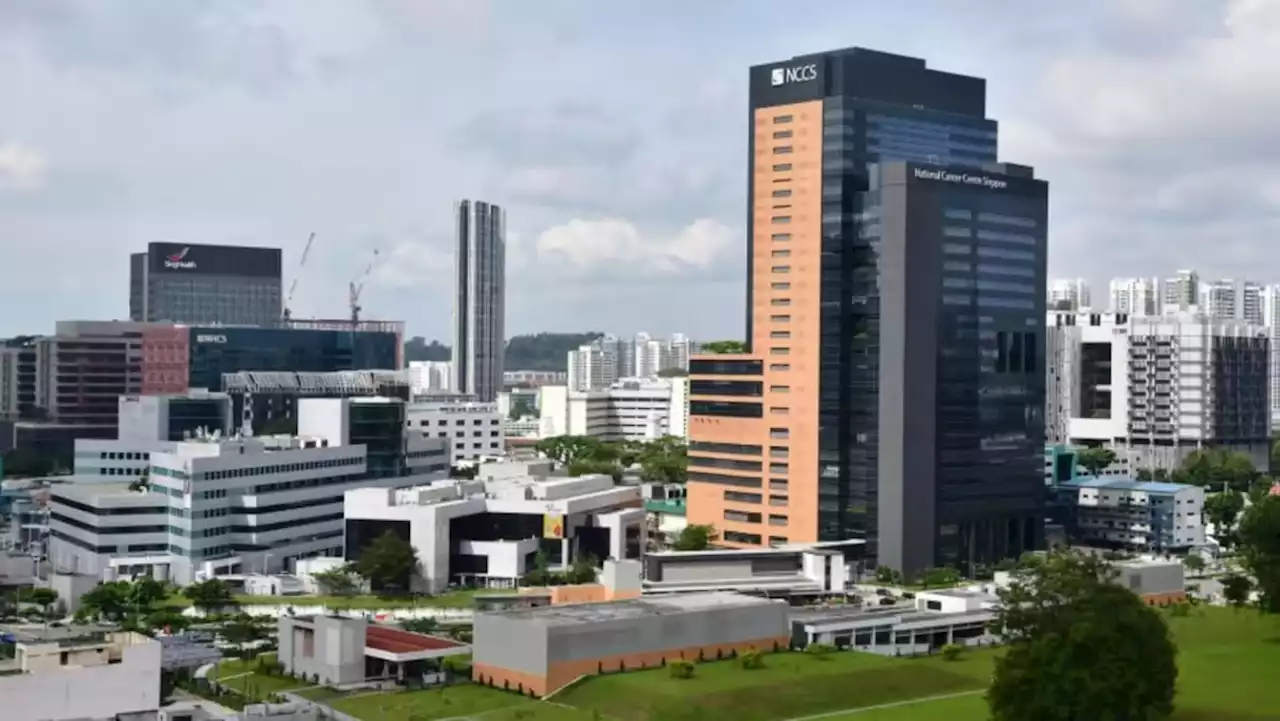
[{"x": 1078, "y": 646}]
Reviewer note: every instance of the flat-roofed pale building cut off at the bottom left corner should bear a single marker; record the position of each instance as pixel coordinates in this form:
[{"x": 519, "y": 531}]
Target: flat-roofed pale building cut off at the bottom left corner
[{"x": 77, "y": 674}]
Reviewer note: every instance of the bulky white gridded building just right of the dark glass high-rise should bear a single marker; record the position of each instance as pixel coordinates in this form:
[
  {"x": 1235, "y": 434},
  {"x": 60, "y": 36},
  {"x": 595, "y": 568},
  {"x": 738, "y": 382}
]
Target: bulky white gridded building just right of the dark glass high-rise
[{"x": 1156, "y": 389}]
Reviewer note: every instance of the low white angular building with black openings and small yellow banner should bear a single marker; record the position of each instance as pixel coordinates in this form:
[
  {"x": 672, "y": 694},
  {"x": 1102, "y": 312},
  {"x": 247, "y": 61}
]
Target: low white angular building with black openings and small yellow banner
[{"x": 488, "y": 532}]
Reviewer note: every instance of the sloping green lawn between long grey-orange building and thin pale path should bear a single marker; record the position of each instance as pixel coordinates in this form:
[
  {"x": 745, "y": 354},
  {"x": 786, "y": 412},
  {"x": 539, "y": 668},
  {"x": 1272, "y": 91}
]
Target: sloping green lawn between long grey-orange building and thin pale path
[{"x": 792, "y": 685}]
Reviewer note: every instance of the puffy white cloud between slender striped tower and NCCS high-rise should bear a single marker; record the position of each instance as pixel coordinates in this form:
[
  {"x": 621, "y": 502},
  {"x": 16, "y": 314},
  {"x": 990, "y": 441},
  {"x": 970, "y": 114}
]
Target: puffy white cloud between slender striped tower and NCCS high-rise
[{"x": 619, "y": 245}]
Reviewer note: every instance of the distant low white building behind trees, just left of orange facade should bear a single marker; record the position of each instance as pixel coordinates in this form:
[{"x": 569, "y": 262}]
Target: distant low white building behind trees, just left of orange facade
[{"x": 629, "y": 410}]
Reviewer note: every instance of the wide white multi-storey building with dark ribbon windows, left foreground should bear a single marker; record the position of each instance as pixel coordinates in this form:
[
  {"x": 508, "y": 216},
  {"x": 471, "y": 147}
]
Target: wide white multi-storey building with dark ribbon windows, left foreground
[{"x": 221, "y": 506}]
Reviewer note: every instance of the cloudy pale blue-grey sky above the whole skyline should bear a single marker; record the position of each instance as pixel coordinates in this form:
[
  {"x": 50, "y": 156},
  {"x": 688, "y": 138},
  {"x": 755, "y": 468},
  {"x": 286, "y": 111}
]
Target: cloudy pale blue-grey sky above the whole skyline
[{"x": 614, "y": 133}]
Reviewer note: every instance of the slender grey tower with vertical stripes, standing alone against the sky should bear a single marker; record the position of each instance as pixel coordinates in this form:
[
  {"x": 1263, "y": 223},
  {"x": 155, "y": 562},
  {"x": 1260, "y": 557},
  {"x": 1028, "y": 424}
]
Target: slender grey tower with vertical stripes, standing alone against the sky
[{"x": 479, "y": 300}]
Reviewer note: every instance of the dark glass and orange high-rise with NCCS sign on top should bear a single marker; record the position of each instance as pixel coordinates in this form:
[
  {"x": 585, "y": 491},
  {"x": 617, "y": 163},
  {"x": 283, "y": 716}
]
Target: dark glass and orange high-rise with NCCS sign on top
[{"x": 894, "y": 389}]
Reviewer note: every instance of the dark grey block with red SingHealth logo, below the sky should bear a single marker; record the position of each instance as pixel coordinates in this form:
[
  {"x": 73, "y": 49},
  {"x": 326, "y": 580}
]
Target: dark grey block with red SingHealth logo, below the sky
[{"x": 207, "y": 285}]
